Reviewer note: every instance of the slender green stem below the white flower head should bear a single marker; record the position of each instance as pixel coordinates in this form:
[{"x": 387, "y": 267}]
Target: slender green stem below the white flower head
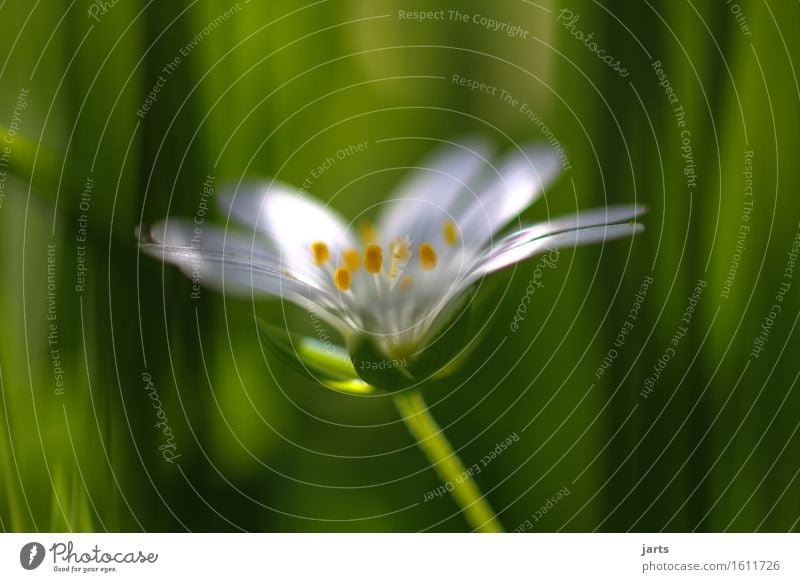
[{"x": 446, "y": 462}]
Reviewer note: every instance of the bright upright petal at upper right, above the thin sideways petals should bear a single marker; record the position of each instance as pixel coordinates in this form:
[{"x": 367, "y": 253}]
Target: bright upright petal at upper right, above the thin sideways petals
[{"x": 519, "y": 181}]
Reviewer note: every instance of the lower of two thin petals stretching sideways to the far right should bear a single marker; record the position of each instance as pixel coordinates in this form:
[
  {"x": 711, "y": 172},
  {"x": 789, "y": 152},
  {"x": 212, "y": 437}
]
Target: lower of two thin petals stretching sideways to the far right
[{"x": 516, "y": 251}]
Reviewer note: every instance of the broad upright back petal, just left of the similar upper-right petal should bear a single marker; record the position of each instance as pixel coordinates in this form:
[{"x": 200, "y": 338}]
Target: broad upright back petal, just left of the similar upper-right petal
[{"x": 436, "y": 191}]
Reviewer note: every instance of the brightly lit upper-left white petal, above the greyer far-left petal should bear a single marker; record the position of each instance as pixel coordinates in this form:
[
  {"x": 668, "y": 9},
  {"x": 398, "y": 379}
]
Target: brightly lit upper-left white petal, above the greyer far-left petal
[{"x": 291, "y": 220}]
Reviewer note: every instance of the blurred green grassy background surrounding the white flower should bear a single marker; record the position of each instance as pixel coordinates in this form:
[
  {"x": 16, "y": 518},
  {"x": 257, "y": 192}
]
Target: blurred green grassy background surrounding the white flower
[{"x": 273, "y": 89}]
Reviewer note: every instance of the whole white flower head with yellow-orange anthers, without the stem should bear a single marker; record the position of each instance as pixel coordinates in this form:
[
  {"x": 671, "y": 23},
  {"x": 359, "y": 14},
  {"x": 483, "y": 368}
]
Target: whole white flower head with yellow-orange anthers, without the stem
[{"x": 390, "y": 280}]
